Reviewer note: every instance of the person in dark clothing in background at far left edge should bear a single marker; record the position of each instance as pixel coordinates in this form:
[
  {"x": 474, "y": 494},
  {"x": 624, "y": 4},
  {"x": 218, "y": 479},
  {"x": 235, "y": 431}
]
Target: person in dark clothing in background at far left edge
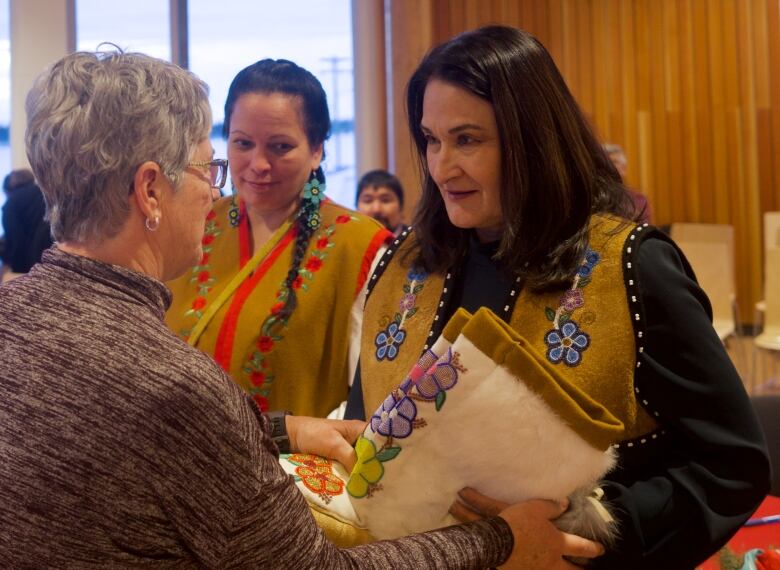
[{"x": 26, "y": 232}]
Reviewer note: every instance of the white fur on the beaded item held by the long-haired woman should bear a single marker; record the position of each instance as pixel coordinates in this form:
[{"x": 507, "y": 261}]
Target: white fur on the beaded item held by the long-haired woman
[{"x": 492, "y": 434}]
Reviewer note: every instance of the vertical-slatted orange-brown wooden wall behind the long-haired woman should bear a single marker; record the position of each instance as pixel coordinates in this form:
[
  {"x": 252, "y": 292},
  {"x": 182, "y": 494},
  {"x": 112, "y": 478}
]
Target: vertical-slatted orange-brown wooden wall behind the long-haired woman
[{"x": 690, "y": 88}]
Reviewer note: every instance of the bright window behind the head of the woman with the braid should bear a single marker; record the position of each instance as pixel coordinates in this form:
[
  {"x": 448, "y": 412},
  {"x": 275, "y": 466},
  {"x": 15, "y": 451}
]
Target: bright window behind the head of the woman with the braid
[{"x": 226, "y": 36}]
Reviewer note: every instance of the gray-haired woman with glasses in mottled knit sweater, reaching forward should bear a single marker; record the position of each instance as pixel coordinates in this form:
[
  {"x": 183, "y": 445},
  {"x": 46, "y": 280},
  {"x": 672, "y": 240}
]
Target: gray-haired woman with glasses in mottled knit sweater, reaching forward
[{"x": 119, "y": 444}]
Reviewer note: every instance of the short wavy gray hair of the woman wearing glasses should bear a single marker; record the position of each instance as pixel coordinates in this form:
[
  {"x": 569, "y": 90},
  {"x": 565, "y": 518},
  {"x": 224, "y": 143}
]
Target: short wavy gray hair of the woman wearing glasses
[{"x": 93, "y": 119}]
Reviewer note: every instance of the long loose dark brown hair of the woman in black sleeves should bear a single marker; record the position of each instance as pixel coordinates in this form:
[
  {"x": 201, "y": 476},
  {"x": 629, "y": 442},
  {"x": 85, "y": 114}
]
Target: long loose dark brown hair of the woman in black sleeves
[{"x": 555, "y": 173}]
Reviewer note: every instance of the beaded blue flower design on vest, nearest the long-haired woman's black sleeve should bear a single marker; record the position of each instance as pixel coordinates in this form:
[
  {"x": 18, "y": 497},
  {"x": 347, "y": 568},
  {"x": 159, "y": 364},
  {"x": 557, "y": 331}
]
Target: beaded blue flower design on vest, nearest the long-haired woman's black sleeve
[{"x": 566, "y": 341}]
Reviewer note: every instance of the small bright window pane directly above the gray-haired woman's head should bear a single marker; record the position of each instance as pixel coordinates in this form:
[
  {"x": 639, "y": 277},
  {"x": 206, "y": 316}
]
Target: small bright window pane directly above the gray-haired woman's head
[{"x": 140, "y": 25}]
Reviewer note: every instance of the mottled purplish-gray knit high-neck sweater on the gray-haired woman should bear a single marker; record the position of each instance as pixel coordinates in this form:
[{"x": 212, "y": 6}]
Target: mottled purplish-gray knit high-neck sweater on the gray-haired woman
[{"x": 122, "y": 446}]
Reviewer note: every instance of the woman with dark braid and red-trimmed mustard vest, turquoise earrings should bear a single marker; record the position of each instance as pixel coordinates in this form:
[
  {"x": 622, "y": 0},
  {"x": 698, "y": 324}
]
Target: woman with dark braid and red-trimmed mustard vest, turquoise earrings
[{"x": 271, "y": 299}]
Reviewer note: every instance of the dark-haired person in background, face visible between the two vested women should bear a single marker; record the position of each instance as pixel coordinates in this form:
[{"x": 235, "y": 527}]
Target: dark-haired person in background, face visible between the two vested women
[{"x": 381, "y": 196}]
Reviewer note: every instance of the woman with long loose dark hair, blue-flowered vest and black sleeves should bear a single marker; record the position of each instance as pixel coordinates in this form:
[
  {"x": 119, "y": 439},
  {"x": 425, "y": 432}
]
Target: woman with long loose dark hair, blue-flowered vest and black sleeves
[{"x": 522, "y": 212}]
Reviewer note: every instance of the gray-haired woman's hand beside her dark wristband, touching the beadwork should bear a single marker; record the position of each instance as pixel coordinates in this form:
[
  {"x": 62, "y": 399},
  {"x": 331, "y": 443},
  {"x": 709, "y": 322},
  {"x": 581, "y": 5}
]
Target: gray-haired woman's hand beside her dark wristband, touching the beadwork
[{"x": 333, "y": 439}]
